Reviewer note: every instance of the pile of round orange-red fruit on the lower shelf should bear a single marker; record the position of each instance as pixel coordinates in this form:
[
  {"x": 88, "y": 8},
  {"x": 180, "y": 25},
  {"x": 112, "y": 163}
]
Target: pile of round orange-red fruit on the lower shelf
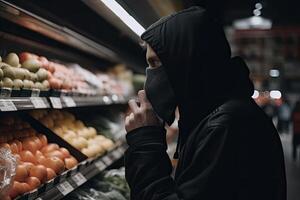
[{"x": 38, "y": 161}]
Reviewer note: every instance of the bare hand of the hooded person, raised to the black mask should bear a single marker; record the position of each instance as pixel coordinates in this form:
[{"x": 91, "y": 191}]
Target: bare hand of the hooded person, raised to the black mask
[{"x": 142, "y": 115}]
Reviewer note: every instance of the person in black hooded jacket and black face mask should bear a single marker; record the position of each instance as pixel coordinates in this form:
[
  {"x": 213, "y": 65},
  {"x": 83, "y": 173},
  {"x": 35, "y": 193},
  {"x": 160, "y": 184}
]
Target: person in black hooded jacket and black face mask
[{"x": 227, "y": 147}]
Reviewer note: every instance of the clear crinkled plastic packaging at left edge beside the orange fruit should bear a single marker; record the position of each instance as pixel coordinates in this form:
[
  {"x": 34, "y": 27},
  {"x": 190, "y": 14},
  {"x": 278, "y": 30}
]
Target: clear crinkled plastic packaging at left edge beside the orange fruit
[{"x": 8, "y": 165}]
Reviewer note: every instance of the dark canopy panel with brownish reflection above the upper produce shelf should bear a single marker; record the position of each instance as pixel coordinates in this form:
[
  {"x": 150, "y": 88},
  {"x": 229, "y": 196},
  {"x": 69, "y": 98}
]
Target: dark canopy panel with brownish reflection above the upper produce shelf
[{"x": 54, "y": 31}]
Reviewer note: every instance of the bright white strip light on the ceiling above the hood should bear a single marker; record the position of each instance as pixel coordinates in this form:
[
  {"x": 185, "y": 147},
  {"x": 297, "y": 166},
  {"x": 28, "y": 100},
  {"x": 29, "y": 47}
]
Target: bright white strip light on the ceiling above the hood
[{"x": 118, "y": 10}]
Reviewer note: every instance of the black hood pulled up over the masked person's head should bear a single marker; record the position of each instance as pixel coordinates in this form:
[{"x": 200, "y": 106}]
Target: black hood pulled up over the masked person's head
[{"x": 196, "y": 55}]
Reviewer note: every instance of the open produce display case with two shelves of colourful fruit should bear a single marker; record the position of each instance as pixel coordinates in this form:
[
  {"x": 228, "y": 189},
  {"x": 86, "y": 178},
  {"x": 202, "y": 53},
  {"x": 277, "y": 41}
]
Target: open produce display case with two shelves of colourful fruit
[{"x": 63, "y": 96}]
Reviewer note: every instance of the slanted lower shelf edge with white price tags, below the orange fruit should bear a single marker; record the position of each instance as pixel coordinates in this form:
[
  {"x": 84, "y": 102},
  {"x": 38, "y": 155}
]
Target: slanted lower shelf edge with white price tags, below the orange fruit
[{"x": 67, "y": 182}]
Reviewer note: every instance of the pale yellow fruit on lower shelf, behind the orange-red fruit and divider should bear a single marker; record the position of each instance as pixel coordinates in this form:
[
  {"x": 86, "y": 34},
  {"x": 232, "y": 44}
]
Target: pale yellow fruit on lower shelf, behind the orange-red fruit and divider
[{"x": 74, "y": 132}]
